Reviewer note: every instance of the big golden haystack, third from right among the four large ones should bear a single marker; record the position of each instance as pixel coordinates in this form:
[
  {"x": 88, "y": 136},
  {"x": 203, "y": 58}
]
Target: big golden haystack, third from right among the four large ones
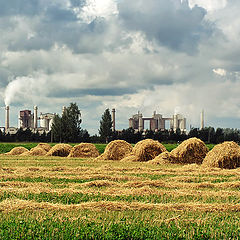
[{"x": 145, "y": 150}]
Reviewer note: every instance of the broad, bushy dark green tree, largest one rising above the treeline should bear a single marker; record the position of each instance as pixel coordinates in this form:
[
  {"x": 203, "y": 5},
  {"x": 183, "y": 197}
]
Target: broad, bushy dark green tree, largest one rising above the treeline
[{"x": 67, "y": 128}]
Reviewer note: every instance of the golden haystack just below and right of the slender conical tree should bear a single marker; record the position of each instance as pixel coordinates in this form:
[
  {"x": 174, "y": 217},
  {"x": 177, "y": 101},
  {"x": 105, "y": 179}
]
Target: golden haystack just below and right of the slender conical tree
[{"x": 116, "y": 150}]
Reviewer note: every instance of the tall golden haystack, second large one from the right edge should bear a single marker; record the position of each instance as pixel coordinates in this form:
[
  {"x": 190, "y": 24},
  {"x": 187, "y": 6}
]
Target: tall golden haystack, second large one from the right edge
[{"x": 192, "y": 150}]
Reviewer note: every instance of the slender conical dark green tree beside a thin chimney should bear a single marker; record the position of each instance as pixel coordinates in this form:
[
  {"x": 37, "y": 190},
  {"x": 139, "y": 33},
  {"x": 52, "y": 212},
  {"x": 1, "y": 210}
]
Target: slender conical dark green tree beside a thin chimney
[{"x": 105, "y": 130}]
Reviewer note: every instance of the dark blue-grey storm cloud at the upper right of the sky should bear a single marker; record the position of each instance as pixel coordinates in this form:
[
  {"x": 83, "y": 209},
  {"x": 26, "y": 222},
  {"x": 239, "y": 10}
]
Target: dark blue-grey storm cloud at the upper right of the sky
[{"x": 171, "y": 23}]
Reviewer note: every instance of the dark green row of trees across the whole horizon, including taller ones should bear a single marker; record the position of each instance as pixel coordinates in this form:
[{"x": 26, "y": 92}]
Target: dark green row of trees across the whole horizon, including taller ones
[{"x": 67, "y": 128}]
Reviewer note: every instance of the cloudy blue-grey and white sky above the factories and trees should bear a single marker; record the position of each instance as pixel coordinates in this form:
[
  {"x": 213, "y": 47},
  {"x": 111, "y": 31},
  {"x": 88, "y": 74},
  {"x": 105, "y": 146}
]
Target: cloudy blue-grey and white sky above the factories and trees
[{"x": 155, "y": 55}]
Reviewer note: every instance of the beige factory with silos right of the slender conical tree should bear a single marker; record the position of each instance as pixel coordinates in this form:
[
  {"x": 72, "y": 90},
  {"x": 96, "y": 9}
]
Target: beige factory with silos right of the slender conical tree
[{"x": 157, "y": 122}]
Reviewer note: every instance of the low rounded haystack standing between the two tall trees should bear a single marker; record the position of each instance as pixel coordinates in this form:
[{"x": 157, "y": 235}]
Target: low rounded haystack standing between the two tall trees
[{"x": 84, "y": 150}]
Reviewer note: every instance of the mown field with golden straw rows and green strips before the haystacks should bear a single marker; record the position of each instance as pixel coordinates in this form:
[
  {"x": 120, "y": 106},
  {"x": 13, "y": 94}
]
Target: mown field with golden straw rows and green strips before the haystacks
[{"x": 60, "y": 198}]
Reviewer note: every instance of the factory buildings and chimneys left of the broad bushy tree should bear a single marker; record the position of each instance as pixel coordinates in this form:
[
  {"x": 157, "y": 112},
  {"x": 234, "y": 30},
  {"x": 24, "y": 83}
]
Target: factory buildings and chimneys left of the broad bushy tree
[{"x": 27, "y": 119}]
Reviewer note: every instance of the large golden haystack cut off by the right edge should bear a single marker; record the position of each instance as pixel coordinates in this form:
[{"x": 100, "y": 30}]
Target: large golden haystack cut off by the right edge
[{"x": 224, "y": 155}]
